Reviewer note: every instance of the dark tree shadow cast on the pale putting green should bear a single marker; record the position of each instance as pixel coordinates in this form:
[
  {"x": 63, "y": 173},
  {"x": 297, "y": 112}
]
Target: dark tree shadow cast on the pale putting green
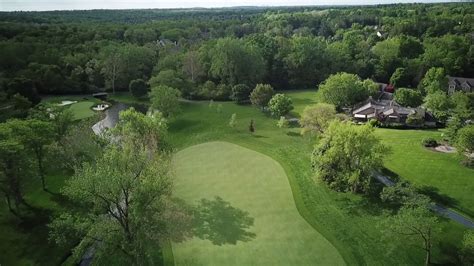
[{"x": 220, "y": 223}]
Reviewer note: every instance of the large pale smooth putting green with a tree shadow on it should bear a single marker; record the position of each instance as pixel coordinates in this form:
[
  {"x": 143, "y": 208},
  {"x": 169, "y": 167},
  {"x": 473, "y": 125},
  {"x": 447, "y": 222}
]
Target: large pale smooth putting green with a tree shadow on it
[{"x": 246, "y": 211}]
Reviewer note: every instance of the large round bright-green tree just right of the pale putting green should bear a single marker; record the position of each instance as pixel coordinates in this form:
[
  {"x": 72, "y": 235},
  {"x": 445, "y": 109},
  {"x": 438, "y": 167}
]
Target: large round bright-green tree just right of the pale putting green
[{"x": 347, "y": 156}]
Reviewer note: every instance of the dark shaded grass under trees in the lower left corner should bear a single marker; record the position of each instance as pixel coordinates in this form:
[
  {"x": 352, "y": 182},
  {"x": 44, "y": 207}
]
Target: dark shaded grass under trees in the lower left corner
[{"x": 25, "y": 241}]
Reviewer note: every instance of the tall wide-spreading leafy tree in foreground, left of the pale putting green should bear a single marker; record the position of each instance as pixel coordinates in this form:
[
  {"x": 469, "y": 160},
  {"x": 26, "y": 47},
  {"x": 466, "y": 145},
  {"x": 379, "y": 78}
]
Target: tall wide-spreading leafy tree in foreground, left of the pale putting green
[{"x": 127, "y": 212}]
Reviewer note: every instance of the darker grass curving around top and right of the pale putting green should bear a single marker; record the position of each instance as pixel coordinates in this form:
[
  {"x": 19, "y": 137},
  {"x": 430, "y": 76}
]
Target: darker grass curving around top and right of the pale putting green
[{"x": 348, "y": 221}]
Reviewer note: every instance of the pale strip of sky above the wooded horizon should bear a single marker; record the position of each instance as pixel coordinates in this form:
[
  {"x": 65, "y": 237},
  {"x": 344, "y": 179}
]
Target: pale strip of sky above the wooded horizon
[{"x": 41, "y": 5}]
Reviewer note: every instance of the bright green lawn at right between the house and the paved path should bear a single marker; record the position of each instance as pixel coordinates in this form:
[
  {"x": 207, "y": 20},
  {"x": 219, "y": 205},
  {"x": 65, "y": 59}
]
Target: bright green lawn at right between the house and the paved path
[{"x": 441, "y": 174}]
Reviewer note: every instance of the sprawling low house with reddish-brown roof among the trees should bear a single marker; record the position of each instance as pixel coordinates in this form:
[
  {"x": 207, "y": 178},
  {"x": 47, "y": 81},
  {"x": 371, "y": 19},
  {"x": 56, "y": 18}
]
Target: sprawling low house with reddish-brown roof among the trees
[{"x": 388, "y": 111}]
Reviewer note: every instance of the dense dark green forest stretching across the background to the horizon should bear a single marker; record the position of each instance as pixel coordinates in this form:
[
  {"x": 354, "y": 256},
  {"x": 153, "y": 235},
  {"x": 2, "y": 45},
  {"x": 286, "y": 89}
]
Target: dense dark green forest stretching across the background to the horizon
[{"x": 204, "y": 53}]
